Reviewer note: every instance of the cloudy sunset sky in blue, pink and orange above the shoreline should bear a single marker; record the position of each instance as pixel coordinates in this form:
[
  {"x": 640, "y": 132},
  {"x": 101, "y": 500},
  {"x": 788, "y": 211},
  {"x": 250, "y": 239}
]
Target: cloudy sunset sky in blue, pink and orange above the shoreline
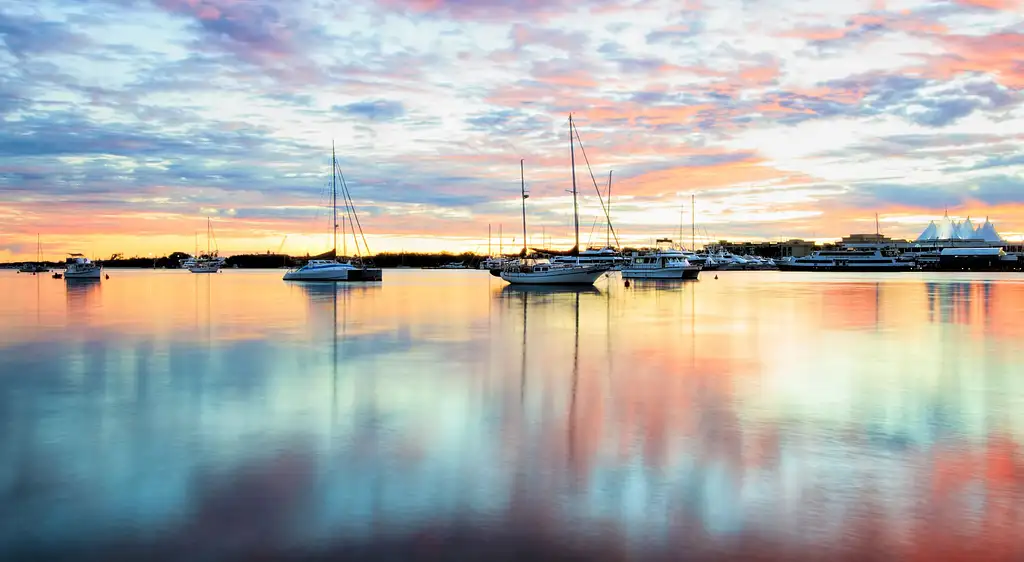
[{"x": 127, "y": 123}]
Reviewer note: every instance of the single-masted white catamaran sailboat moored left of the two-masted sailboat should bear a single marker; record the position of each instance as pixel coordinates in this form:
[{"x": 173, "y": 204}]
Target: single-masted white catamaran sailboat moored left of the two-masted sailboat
[{"x": 333, "y": 270}]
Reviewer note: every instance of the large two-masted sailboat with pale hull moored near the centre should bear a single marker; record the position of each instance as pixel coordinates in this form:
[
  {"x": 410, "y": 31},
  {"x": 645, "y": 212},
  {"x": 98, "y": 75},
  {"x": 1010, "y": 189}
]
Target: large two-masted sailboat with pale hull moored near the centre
[{"x": 543, "y": 272}]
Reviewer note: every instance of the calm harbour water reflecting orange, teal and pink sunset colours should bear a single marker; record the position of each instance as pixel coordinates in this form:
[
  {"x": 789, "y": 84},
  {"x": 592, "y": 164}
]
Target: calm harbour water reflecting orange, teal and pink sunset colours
[{"x": 168, "y": 416}]
